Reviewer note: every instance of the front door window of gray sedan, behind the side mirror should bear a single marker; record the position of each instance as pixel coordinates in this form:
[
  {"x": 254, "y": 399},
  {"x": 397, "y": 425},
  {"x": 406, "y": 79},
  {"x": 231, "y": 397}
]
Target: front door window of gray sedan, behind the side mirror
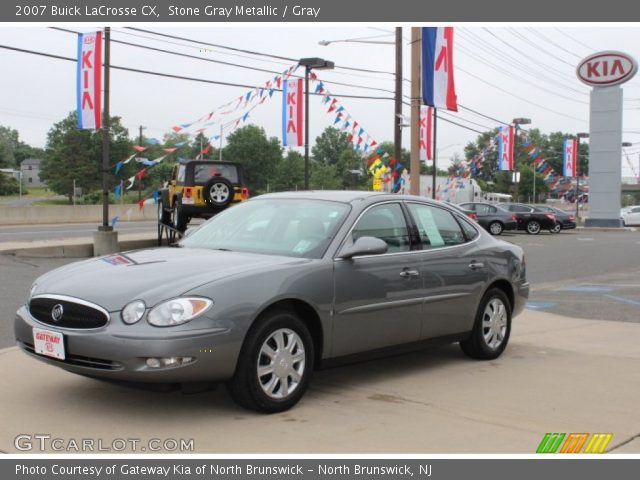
[{"x": 387, "y": 223}]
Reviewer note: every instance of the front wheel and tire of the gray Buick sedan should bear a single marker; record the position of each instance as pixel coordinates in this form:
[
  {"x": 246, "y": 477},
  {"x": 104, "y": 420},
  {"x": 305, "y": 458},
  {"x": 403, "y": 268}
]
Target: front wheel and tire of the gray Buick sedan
[{"x": 277, "y": 332}]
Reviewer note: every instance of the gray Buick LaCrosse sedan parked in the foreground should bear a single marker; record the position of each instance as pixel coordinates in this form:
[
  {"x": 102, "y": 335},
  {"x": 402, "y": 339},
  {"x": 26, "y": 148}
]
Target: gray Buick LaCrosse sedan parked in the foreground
[{"x": 265, "y": 292}]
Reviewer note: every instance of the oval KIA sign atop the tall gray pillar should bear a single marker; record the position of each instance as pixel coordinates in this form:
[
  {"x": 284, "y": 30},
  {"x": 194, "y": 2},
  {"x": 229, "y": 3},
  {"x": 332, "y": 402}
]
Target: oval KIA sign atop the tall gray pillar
[{"x": 605, "y": 69}]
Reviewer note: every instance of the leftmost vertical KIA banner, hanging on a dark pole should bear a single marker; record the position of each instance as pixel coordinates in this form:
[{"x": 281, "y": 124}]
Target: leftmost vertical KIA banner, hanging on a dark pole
[{"x": 88, "y": 80}]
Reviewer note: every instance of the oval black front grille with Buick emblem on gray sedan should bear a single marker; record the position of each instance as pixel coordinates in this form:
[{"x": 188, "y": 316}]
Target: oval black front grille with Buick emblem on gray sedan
[{"x": 75, "y": 313}]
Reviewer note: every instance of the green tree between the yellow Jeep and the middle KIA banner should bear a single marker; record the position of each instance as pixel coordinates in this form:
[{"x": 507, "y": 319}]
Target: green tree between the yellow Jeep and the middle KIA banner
[{"x": 259, "y": 155}]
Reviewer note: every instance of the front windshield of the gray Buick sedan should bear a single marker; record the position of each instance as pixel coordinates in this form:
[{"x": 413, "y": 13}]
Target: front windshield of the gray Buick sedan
[{"x": 289, "y": 227}]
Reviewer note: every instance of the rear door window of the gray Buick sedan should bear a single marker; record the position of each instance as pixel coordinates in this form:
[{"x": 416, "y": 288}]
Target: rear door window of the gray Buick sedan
[{"x": 436, "y": 226}]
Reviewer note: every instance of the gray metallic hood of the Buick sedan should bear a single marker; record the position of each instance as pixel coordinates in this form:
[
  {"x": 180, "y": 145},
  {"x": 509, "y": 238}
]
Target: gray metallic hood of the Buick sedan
[{"x": 151, "y": 275}]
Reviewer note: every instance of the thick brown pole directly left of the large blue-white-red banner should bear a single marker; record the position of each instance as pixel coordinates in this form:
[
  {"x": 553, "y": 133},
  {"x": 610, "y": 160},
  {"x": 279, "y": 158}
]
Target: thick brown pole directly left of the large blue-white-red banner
[{"x": 416, "y": 38}]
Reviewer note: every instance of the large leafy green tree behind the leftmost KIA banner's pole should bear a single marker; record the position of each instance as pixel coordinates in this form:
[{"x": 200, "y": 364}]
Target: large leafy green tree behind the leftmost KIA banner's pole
[{"x": 74, "y": 154}]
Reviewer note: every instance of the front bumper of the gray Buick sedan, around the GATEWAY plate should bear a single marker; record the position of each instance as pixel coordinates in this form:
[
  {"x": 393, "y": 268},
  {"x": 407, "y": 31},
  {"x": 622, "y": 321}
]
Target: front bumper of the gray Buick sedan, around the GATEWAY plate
[{"x": 111, "y": 352}]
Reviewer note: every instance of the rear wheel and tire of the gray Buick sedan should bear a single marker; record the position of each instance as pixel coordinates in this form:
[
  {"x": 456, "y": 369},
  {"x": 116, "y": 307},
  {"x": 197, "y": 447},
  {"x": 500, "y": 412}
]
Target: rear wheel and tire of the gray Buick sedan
[{"x": 491, "y": 328}]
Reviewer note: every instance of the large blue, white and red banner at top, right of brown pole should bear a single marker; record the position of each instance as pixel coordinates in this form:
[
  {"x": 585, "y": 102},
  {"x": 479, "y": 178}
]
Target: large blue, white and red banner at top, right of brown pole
[{"x": 438, "y": 87}]
